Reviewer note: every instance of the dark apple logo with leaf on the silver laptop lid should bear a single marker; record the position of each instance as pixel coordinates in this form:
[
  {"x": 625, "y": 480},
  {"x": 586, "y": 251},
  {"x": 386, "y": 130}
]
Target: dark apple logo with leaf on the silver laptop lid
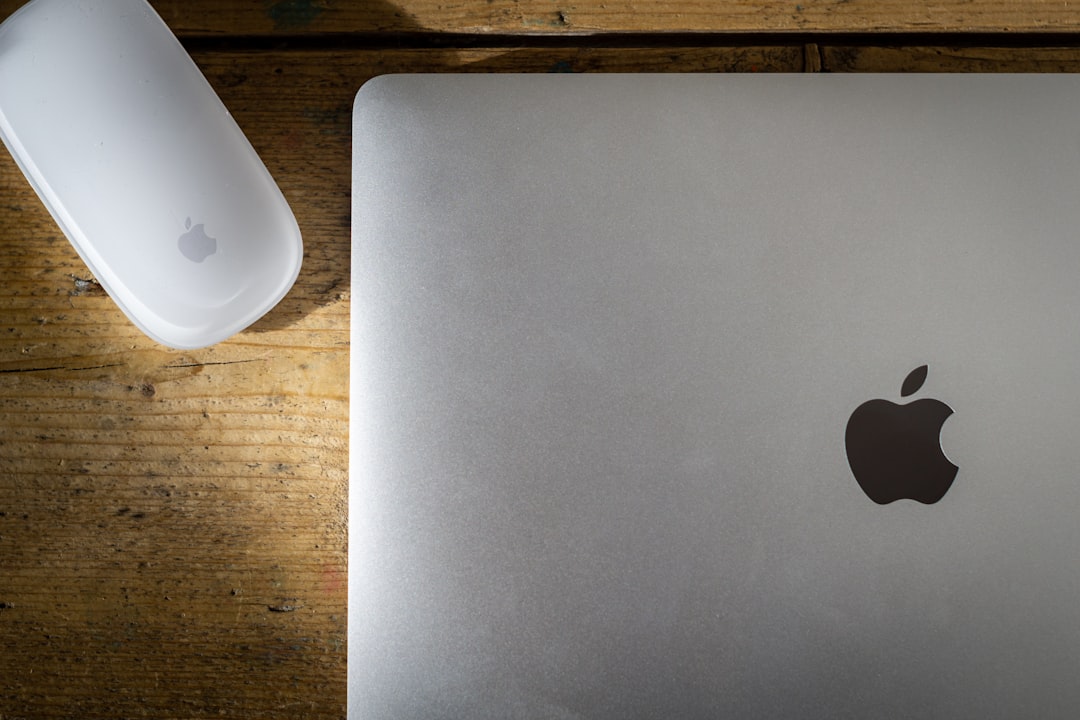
[{"x": 896, "y": 452}]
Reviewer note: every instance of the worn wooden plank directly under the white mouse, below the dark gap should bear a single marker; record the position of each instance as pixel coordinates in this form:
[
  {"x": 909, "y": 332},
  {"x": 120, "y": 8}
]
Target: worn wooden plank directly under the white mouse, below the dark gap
[{"x": 173, "y": 524}]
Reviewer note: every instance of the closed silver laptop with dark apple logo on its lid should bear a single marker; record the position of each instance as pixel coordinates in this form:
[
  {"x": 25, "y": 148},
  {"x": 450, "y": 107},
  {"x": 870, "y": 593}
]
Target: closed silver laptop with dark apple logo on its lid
[{"x": 715, "y": 397}]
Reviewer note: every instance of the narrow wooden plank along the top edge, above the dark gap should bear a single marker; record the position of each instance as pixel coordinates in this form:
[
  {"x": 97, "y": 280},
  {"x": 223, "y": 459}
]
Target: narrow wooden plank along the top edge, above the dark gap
[{"x": 551, "y": 18}]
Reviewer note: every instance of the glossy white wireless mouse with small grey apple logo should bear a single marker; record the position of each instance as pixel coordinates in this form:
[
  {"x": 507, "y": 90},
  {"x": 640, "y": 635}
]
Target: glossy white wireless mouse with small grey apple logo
[{"x": 144, "y": 170}]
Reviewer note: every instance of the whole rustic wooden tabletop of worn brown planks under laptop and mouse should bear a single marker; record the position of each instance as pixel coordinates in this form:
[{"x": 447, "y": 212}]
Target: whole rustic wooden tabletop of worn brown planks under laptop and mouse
[{"x": 173, "y": 524}]
